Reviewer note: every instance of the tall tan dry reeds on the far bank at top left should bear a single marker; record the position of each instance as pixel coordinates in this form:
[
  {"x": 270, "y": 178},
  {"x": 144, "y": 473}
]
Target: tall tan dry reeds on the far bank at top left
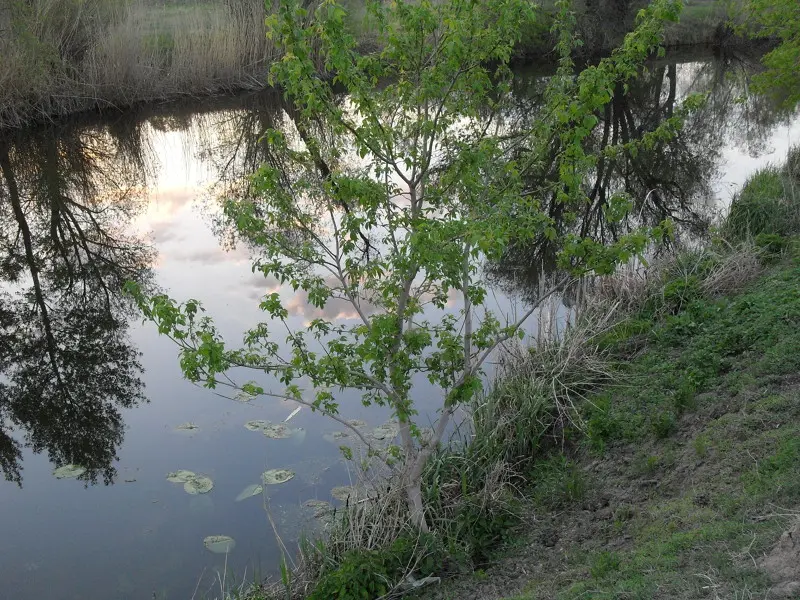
[{"x": 119, "y": 52}]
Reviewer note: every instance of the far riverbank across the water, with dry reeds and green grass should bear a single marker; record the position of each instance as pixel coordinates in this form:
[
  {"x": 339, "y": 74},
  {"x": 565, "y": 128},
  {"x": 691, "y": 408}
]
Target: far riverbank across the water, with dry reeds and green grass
[{"x": 100, "y": 55}]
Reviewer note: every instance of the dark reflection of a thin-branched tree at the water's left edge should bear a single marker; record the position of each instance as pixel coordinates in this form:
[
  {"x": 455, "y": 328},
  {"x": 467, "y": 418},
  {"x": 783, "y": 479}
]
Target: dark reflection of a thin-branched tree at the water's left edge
[{"x": 66, "y": 364}]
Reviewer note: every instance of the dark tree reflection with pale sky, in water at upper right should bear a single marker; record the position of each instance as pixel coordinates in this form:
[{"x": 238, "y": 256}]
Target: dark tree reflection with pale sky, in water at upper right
[{"x": 670, "y": 179}]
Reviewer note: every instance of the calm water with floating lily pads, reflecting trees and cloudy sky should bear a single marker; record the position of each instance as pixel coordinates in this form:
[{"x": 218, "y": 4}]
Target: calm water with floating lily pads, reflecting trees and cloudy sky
[{"x": 90, "y": 203}]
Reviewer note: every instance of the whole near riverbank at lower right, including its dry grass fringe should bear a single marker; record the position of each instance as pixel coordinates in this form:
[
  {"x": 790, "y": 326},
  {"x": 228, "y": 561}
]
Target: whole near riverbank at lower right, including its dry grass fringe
[{"x": 674, "y": 474}]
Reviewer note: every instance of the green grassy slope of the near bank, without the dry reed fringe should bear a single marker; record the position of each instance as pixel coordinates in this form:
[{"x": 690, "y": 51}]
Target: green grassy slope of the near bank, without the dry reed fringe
[{"x": 686, "y": 473}]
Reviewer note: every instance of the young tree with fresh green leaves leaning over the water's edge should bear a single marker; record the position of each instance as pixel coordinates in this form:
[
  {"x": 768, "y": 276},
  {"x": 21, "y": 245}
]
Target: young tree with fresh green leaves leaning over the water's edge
[{"x": 392, "y": 194}]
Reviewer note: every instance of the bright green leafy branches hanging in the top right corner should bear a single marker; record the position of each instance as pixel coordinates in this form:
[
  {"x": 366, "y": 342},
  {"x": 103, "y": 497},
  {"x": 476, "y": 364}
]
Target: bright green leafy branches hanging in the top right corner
[{"x": 778, "y": 19}]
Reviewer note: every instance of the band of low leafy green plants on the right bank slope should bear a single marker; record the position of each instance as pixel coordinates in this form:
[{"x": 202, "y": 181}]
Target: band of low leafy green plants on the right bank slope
[{"x": 691, "y": 352}]
